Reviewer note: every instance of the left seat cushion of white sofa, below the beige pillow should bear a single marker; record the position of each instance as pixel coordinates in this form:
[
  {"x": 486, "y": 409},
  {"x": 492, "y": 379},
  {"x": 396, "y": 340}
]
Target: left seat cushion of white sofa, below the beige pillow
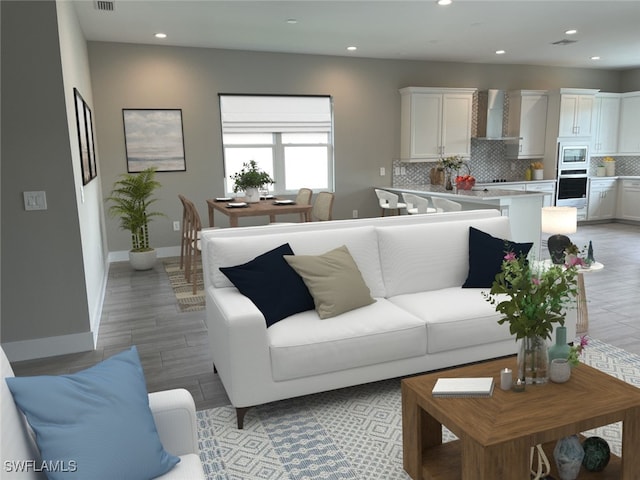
[{"x": 304, "y": 345}]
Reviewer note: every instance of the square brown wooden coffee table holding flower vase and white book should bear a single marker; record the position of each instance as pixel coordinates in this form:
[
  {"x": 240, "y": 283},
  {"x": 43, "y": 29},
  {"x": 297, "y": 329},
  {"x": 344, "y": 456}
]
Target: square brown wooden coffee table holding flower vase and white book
[{"x": 496, "y": 434}]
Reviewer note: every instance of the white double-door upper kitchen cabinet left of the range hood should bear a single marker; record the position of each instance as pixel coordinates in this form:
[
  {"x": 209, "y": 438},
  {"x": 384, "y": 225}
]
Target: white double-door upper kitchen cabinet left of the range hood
[{"x": 435, "y": 122}]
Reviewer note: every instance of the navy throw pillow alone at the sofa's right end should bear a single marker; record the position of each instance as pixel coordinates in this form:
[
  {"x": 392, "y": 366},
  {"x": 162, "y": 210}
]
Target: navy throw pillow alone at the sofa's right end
[{"x": 486, "y": 253}]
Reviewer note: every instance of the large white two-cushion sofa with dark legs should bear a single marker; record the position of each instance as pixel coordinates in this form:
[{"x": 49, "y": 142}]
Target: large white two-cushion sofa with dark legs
[{"x": 421, "y": 320}]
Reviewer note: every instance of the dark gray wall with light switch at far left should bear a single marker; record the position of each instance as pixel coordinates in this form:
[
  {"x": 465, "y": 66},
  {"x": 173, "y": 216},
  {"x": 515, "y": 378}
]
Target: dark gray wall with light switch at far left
[{"x": 43, "y": 288}]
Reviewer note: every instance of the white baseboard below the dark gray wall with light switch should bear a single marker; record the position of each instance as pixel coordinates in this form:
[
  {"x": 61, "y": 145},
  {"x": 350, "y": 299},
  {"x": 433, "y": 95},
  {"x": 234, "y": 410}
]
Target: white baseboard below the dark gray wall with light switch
[{"x": 48, "y": 346}]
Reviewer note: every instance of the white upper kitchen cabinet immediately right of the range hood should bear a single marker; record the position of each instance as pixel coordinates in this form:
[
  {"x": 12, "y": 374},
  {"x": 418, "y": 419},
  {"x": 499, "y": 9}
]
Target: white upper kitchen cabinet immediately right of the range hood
[{"x": 527, "y": 119}]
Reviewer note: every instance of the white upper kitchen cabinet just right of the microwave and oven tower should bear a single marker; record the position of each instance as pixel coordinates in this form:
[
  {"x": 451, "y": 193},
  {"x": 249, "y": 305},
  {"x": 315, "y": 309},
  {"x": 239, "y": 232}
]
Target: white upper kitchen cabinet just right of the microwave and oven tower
[{"x": 606, "y": 115}]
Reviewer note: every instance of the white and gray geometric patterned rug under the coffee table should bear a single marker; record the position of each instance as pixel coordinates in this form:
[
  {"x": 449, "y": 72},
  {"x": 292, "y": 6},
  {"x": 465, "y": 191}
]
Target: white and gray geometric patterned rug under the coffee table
[{"x": 351, "y": 433}]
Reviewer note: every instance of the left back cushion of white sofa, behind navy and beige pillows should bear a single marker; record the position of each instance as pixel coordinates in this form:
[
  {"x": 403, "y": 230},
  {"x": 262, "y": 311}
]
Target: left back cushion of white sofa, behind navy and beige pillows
[{"x": 361, "y": 241}]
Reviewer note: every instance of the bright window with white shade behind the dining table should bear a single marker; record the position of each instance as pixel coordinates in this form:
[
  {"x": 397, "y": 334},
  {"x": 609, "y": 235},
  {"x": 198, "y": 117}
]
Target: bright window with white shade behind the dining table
[{"x": 289, "y": 137}]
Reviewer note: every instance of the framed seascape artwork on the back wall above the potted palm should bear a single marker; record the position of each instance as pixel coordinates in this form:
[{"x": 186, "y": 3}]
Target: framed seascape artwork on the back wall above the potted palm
[{"x": 153, "y": 138}]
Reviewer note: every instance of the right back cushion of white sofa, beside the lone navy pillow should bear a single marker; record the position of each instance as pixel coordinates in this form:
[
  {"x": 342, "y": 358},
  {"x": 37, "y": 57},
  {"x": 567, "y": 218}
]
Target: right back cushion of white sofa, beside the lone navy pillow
[{"x": 423, "y": 257}]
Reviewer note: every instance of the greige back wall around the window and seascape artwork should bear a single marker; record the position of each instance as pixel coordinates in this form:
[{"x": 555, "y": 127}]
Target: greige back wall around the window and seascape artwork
[{"x": 366, "y": 111}]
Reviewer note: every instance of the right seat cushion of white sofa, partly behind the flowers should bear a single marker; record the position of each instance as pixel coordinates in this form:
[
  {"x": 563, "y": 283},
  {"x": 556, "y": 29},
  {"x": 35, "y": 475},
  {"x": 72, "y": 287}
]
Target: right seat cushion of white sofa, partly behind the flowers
[{"x": 455, "y": 317}]
